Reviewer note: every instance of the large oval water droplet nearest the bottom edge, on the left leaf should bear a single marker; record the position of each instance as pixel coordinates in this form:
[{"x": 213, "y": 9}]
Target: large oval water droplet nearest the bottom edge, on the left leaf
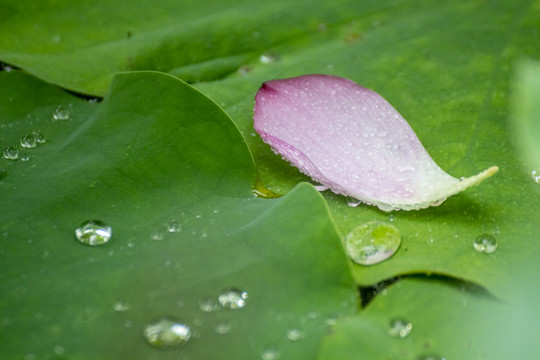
[{"x": 166, "y": 333}]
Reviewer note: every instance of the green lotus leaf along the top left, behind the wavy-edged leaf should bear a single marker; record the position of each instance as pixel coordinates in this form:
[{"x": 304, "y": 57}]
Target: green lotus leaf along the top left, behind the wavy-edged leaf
[{"x": 81, "y": 45}]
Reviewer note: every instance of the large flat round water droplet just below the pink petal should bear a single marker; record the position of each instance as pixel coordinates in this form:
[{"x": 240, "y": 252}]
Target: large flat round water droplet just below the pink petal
[{"x": 372, "y": 242}]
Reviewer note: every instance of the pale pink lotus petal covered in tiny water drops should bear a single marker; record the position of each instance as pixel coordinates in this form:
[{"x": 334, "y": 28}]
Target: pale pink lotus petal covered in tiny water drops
[{"x": 351, "y": 140}]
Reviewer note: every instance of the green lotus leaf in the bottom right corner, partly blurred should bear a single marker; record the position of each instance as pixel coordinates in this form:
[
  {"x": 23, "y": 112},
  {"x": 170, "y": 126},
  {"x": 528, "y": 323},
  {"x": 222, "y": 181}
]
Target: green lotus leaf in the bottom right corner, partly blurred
[{"x": 450, "y": 320}]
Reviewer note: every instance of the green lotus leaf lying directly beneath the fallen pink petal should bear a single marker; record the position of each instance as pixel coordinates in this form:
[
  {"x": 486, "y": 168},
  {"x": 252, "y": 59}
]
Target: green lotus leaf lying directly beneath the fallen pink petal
[{"x": 446, "y": 67}]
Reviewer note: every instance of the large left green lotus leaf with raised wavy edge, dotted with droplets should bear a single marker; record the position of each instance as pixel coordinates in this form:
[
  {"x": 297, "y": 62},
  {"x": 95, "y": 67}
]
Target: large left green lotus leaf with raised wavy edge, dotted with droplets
[{"x": 155, "y": 152}]
